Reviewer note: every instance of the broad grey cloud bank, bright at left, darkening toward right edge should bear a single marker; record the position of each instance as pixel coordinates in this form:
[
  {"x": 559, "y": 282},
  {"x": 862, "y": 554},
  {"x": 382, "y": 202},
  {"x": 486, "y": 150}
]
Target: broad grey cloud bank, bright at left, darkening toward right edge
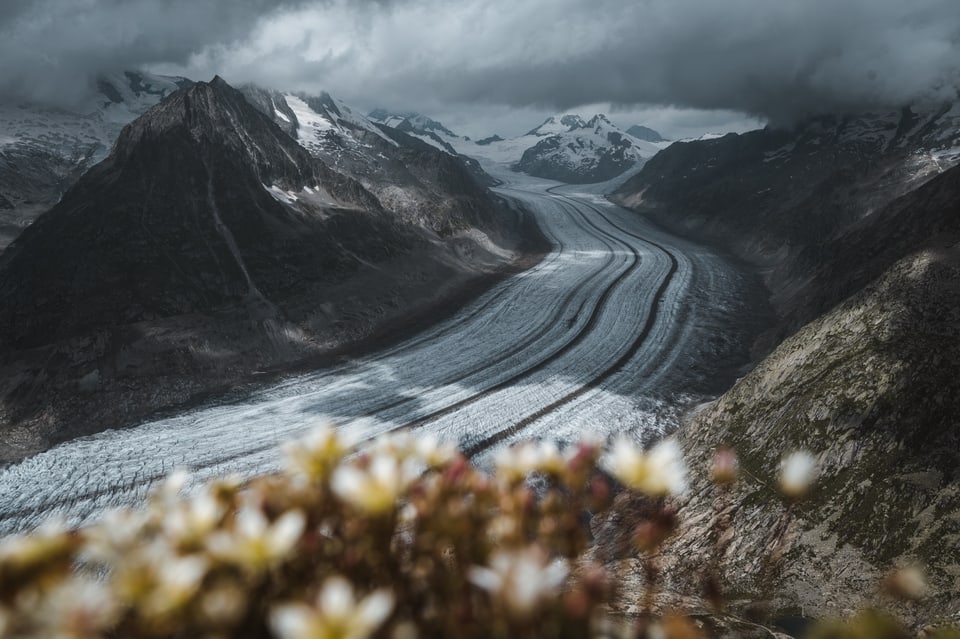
[{"x": 776, "y": 58}]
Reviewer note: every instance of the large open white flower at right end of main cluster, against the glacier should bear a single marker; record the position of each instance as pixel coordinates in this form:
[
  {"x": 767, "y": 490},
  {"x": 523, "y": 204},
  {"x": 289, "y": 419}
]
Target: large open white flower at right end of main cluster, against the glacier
[{"x": 658, "y": 473}]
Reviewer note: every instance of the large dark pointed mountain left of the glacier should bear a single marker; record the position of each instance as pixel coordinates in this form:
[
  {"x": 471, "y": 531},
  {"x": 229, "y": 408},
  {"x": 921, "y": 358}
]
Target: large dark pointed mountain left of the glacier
[{"x": 210, "y": 243}]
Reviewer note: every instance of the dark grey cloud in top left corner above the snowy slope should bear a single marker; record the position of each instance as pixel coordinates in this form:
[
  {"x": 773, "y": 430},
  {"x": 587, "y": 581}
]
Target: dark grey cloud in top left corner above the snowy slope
[{"x": 52, "y": 49}]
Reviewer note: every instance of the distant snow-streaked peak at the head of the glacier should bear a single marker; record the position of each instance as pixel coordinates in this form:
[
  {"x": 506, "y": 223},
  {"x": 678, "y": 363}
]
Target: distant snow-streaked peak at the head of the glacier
[{"x": 592, "y": 151}]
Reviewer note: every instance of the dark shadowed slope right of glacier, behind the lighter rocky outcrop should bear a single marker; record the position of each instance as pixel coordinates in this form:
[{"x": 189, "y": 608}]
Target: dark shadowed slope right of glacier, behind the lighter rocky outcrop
[{"x": 782, "y": 199}]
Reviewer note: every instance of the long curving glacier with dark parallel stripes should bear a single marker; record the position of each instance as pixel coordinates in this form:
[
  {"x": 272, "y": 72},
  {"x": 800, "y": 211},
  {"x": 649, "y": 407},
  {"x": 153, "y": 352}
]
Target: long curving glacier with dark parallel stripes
[{"x": 597, "y": 338}]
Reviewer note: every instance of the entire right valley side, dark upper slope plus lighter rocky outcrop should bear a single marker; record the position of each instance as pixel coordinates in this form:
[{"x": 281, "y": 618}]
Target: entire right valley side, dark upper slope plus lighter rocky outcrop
[{"x": 857, "y": 224}]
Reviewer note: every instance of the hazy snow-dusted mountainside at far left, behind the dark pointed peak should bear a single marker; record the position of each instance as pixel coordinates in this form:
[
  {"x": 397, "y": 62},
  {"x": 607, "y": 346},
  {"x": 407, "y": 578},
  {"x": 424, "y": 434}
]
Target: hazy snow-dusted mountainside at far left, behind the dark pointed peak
[{"x": 43, "y": 151}]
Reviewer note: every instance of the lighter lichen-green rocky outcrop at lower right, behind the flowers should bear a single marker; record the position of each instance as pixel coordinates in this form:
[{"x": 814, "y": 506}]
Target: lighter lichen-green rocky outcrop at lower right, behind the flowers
[{"x": 870, "y": 388}]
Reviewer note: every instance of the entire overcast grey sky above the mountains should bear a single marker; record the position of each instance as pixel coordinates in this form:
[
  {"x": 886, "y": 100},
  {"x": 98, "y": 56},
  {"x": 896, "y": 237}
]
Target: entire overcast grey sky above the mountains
[{"x": 682, "y": 66}]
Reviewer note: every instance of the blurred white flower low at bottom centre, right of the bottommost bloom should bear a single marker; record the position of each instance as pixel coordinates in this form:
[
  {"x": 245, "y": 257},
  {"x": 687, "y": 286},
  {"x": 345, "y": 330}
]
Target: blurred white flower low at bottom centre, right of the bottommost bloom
[{"x": 521, "y": 580}]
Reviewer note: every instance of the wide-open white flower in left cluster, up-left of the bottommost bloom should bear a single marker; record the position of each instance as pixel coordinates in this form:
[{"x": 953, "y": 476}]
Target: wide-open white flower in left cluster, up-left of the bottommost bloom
[{"x": 255, "y": 542}]
